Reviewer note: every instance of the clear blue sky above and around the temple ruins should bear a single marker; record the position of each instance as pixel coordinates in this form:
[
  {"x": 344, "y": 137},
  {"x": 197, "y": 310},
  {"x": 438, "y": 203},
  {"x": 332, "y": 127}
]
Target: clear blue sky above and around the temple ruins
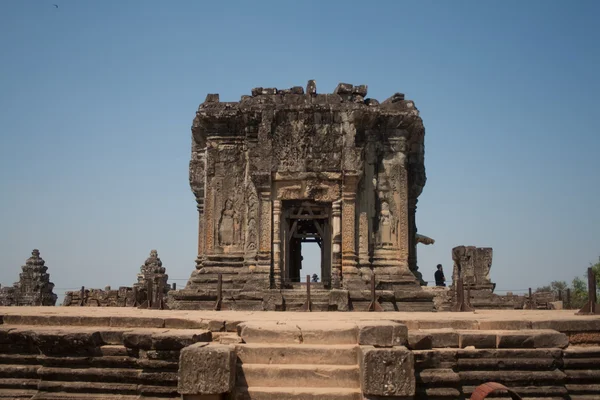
[{"x": 97, "y": 99}]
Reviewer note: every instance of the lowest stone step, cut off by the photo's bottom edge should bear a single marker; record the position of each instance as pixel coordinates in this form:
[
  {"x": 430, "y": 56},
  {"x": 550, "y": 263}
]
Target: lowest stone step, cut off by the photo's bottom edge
[{"x": 295, "y": 393}]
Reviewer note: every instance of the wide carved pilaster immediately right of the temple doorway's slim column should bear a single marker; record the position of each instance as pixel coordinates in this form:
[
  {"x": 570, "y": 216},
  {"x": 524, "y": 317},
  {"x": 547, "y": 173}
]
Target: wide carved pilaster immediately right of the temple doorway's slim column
[{"x": 349, "y": 227}]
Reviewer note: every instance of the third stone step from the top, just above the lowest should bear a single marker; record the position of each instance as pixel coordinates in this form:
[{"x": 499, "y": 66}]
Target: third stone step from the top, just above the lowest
[{"x": 298, "y": 375}]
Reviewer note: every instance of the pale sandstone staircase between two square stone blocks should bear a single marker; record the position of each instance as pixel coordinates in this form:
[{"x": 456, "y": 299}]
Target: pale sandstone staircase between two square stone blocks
[{"x": 284, "y": 369}]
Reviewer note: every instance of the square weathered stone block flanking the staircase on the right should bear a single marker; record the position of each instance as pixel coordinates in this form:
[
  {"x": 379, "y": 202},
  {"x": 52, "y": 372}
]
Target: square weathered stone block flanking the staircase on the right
[{"x": 387, "y": 372}]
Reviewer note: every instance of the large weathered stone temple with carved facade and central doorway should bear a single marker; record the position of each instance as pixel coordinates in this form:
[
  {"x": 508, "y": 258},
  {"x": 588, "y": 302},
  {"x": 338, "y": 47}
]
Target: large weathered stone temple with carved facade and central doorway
[{"x": 284, "y": 167}]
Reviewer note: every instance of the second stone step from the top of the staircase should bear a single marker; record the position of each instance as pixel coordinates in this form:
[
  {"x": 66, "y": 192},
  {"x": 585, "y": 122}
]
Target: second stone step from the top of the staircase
[{"x": 258, "y": 353}]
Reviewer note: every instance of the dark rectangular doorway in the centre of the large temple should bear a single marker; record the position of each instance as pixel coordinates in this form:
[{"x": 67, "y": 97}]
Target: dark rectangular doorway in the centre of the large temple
[{"x": 305, "y": 222}]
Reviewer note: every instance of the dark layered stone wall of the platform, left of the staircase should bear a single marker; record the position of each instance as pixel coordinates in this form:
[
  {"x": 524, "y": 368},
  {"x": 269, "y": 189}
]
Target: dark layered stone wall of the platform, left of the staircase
[{"x": 99, "y": 363}]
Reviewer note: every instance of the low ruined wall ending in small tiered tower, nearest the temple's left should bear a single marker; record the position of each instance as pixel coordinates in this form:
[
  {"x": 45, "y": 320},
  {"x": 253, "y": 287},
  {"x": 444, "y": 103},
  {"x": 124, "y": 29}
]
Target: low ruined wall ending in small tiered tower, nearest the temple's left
[{"x": 151, "y": 280}]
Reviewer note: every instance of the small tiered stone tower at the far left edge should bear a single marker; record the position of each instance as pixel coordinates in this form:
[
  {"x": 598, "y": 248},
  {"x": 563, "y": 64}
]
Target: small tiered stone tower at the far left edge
[{"x": 34, "y": 287}]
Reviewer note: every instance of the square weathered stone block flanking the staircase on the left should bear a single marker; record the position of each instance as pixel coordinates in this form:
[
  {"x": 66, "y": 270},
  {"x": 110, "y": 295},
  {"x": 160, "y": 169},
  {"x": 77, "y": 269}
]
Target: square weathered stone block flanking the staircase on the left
[{"x": 206, "y": 369}]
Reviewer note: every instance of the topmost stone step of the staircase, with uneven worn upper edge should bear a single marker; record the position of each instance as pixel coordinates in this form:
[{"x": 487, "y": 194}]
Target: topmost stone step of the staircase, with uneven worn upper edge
[{"x": 316, "y": 332}]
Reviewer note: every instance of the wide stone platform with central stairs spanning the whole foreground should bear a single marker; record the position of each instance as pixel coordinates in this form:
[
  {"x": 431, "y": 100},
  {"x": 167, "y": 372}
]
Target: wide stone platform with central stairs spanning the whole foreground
[{"x": 126, "y": 353}]
